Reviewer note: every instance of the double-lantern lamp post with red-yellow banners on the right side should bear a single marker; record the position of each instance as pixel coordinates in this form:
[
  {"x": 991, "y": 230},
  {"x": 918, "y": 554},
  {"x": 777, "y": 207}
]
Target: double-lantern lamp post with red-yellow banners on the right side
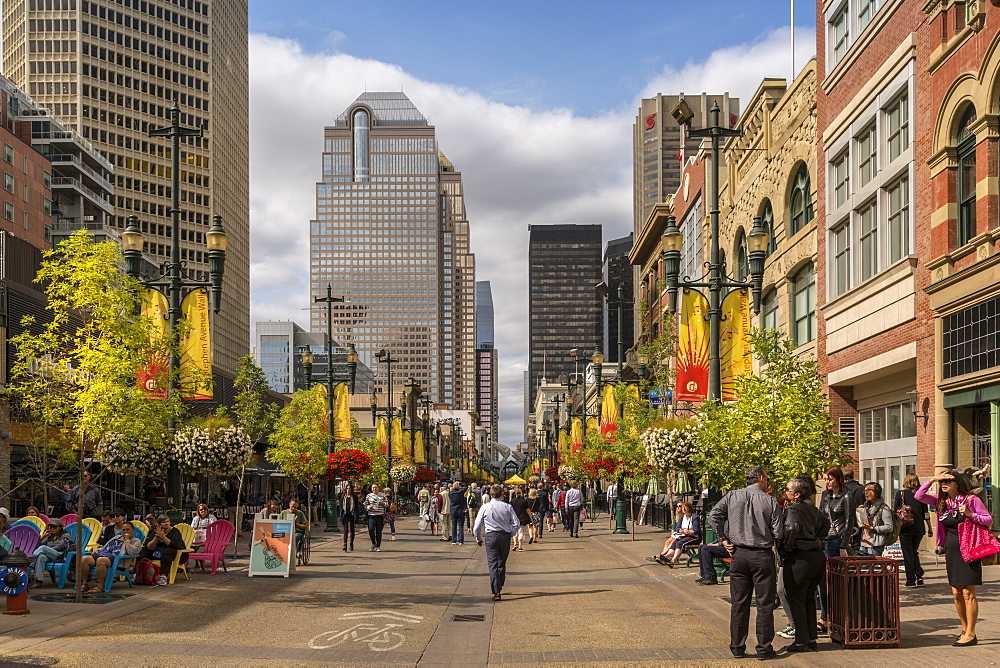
[{"x": 718, "y": 283}]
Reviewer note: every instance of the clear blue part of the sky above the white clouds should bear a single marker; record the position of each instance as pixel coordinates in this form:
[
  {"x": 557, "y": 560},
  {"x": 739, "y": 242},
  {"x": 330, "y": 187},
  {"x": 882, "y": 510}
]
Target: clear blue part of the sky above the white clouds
[{"x": 588, "y": 56}]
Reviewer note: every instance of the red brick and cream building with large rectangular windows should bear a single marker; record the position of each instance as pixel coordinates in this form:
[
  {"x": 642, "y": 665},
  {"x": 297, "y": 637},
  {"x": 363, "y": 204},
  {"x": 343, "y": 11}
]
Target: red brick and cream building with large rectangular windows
[{"x": 875, "y": 339}]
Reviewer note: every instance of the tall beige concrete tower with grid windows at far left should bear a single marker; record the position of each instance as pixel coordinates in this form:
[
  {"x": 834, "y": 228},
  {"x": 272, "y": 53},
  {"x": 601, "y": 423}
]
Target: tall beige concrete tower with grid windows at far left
[{"x": 111, "y": 69}]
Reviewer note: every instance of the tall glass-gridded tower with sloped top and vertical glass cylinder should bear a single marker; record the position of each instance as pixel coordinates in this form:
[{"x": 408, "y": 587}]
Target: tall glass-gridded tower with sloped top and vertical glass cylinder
[{"x": 391, "y": 236}]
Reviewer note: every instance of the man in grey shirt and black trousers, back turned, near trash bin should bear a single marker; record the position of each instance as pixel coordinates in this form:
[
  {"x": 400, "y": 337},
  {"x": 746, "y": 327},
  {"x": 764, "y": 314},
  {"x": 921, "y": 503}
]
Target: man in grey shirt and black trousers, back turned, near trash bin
[{"x": 749, "y": 523}]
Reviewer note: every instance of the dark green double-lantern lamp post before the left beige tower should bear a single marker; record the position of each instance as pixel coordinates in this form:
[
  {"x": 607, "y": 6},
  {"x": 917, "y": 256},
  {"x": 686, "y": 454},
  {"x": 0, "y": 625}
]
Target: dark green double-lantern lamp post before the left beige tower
[{"x": 173, "y": 278}]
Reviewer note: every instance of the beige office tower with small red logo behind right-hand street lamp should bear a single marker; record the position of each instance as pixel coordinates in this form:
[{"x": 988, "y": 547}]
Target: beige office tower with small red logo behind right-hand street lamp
[{"x": 656, "y": 145}]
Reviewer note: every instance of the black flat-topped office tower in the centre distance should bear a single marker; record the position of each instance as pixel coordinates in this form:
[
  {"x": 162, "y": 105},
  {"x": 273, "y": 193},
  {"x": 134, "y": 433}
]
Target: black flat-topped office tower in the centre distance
[{"x": 564, "y": 308}]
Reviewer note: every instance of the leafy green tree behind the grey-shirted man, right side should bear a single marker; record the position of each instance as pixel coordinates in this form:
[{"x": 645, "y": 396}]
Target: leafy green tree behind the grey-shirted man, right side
[{"x": 780, "y": 421}]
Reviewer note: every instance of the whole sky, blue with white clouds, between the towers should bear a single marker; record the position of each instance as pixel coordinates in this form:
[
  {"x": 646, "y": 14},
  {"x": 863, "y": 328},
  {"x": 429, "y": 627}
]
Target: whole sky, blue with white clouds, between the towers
[{"x": 532, "y": 102}]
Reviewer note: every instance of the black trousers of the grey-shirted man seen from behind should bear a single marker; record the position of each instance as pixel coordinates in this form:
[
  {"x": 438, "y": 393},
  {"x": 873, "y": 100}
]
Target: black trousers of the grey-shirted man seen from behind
[{"x": 752, "y": 572}]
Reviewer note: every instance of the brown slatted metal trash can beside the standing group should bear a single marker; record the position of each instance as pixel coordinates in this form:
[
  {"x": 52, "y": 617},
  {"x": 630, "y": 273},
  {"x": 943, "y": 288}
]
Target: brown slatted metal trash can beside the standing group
[{"x": 863, "y": 601}]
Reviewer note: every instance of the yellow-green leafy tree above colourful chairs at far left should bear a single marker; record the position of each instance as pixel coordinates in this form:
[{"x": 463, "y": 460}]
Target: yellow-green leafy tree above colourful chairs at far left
[{"x": 78, "y": 369}]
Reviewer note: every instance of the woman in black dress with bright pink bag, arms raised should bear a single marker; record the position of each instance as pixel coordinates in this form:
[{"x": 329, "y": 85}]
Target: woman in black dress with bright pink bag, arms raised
[{"x": 956, "y": 506}]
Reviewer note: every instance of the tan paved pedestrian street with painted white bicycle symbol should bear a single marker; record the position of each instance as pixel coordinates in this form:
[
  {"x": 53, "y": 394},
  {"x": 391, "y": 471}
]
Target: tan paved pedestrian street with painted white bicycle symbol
[{"x": 595, "y": 600}]
